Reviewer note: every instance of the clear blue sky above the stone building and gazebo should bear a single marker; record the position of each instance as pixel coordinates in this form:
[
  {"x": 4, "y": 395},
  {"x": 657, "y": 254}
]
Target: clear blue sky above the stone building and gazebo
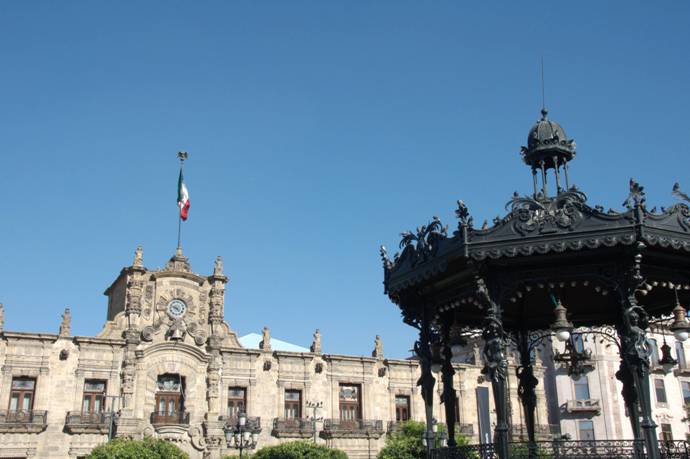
[{"x": 316, "y": 131}]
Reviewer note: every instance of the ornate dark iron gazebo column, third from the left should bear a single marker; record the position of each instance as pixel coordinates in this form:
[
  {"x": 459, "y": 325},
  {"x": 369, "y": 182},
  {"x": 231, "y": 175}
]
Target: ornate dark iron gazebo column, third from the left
[{"x": 495, "y": 365}]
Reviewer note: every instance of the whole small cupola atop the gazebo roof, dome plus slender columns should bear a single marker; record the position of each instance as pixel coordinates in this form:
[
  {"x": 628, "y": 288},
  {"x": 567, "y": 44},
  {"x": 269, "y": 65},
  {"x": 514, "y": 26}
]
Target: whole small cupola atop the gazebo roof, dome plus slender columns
[{"x": 548, "y": 147}]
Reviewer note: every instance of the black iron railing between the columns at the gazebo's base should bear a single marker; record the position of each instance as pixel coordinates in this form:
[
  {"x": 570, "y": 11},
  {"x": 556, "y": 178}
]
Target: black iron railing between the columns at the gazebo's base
[{"x": 567, "y": 449}]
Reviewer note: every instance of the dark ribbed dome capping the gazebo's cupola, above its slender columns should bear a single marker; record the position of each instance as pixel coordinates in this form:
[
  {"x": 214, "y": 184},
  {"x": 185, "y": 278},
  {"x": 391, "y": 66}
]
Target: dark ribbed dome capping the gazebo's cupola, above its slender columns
[{"x": 547, "y": 143}]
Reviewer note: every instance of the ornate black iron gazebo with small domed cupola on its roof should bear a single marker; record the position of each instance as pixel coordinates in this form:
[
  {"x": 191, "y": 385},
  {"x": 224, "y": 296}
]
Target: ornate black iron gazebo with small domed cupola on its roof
[{"x": 552, "y": 264}]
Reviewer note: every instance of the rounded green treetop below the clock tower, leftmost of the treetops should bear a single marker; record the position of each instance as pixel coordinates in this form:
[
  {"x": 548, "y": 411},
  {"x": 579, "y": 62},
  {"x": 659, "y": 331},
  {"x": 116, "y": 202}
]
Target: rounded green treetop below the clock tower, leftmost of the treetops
[{"x": 148, "y": 448}]
